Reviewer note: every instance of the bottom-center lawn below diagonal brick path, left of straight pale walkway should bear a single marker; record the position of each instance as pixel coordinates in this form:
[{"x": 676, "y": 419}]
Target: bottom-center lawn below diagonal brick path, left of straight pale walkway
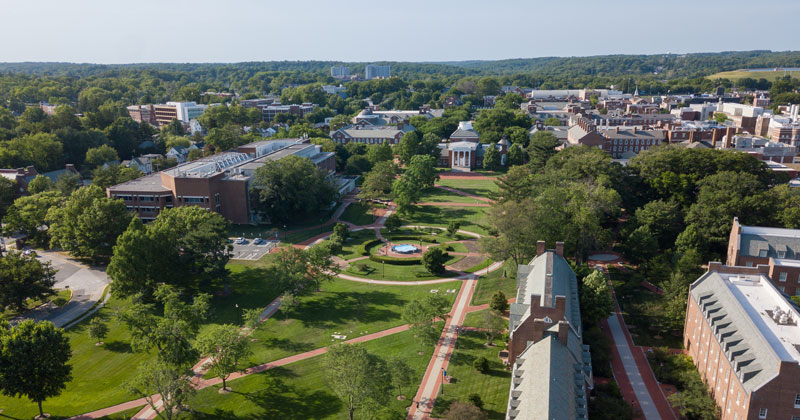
[{"x": 300, "y": 391}]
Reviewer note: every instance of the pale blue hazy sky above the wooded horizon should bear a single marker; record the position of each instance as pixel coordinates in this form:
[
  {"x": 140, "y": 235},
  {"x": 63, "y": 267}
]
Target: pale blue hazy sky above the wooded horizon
[{"x": 116, "y": 31}]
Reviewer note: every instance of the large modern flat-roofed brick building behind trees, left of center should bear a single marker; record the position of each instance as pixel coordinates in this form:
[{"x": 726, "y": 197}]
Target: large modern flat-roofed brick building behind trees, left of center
[{"x": 219, "y": 183}]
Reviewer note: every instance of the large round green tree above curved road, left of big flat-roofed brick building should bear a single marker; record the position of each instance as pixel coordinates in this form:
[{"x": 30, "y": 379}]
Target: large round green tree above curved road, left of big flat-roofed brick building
[{"x": 88, "y": 224}]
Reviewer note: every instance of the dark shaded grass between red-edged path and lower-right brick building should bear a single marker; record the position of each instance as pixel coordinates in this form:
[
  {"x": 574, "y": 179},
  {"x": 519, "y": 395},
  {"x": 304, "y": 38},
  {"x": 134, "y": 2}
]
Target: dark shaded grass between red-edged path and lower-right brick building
[{"x": 643, "y": 311}]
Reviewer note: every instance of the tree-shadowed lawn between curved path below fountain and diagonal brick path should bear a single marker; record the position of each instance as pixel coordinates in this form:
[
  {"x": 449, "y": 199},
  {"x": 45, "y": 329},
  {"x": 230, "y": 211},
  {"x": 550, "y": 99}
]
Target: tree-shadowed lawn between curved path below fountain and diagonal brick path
[{"x": 341, "y": 307}]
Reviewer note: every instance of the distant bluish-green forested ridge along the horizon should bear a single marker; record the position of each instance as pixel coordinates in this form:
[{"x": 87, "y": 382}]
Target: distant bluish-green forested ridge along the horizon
[{"x": 664, "y": 66}]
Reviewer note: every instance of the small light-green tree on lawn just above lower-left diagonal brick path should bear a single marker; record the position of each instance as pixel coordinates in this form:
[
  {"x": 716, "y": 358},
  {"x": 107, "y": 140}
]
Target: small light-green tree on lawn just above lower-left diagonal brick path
[{"x": 226, "y": 347}]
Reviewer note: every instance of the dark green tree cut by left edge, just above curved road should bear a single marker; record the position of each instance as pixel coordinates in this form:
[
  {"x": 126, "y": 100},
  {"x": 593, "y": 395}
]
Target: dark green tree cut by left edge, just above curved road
[{"x": 23, "y": 277}]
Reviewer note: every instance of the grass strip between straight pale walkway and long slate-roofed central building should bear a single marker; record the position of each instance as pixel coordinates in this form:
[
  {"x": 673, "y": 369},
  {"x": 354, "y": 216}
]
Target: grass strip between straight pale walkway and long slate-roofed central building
[{"x": 492, "y": 387}]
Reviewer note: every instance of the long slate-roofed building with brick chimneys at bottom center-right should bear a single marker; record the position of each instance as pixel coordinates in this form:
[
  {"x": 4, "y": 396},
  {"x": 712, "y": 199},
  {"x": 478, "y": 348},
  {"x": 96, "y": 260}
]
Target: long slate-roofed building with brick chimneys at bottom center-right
[{"x": 551, "y": 367}]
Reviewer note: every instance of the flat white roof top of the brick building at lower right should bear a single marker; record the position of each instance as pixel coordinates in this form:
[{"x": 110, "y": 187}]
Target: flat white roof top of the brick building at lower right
[{"x": 759, "y": 298}]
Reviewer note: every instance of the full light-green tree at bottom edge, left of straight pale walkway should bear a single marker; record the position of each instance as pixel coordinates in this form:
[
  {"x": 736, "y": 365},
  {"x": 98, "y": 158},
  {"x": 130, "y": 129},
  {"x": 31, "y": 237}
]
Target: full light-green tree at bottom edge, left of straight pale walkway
[{"x": 357, "y": 377}]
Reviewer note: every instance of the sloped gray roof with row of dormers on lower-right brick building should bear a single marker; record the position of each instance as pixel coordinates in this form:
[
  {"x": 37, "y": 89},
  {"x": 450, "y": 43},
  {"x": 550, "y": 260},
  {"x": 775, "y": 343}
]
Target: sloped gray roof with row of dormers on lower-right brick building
[{"x": 738, "y": 327}]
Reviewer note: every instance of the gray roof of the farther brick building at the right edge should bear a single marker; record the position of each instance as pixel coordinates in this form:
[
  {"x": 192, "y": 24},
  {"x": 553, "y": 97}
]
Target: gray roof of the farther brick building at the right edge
[{"x": 754, "y": 239}]
